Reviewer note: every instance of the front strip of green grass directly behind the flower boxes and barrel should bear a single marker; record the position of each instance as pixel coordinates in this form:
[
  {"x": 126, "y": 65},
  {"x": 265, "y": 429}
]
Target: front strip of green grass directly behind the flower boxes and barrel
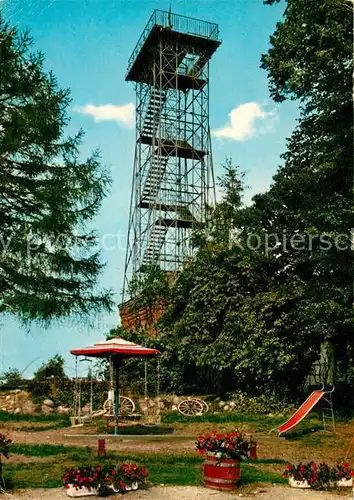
[{"x": 163, "y": 469}]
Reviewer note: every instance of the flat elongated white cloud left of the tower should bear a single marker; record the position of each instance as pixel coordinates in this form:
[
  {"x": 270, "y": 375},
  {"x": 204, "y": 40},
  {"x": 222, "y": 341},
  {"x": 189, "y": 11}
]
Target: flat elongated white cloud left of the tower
[{"x": 124, "y": 114}]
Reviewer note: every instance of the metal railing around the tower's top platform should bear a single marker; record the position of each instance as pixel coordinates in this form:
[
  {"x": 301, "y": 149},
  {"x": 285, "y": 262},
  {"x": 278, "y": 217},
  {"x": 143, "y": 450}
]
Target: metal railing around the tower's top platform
[{"x": 181, "y": 24}]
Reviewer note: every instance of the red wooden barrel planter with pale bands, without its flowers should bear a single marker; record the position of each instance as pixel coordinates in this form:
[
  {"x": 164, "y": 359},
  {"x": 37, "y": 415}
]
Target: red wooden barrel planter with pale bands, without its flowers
[{"x": 221, "y": 473}]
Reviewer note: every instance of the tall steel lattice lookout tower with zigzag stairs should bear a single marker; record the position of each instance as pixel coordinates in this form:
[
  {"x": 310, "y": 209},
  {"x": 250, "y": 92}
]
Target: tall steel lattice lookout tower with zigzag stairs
[{"x": 173, "y": 180}]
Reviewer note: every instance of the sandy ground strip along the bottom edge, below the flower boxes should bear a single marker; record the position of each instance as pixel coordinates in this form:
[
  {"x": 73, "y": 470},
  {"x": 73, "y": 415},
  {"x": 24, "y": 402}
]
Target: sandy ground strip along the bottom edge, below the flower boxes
[{"x": 192, "y": 493}]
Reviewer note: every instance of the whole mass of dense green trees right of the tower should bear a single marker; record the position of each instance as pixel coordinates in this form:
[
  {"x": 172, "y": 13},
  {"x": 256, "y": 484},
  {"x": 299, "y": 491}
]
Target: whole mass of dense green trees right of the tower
[{"x": 272, "y": 283}]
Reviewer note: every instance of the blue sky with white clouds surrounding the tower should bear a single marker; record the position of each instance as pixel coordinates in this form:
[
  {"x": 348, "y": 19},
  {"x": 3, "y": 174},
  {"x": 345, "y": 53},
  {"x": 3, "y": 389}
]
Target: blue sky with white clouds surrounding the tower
[{"x": 87, "y": 44}]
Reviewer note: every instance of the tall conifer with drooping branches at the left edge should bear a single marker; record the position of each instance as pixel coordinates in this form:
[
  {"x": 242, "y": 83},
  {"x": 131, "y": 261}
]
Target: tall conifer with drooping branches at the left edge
[{"x": 49, "y": 265}]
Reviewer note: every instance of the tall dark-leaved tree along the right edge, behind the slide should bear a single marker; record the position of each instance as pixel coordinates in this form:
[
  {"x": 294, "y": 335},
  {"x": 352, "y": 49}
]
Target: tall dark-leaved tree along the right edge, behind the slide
[{"x": 308, "y": 209}]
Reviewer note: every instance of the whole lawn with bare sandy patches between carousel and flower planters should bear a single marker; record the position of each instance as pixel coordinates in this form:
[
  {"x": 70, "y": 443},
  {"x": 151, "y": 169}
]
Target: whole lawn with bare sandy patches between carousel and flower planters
[{"x": 40, "y": 455}]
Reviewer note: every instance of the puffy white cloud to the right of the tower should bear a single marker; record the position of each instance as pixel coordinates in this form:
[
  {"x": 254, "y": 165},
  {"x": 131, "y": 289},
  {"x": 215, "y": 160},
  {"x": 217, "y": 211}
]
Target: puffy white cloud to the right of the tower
[{"x": 243, "y": 122}]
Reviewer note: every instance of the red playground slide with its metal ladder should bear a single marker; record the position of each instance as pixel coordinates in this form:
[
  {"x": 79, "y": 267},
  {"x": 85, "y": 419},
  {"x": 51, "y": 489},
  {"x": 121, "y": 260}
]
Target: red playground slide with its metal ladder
[{"x": 306, "y": 407}]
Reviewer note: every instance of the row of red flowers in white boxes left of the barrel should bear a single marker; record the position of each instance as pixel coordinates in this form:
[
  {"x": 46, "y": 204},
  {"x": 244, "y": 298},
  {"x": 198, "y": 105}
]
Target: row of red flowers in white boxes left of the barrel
[{"x": 87, "y": 481}]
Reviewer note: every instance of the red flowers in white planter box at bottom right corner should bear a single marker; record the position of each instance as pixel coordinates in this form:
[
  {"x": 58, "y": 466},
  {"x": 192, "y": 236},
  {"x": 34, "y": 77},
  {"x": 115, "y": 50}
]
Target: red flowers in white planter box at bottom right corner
[{"x": 318, "y": 476}]
